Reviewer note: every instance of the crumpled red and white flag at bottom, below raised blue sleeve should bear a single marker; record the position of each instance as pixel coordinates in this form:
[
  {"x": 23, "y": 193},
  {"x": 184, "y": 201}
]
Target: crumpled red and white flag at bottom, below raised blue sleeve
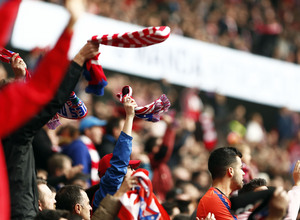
[{"x": 141, "y": 203}]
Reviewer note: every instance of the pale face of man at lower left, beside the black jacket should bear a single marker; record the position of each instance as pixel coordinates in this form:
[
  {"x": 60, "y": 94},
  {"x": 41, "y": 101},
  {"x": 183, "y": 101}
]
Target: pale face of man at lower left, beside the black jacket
[{"x": 47, "y": 200}]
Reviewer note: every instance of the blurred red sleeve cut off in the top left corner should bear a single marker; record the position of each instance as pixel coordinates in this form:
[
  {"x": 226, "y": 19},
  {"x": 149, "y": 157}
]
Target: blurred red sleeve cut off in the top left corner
[{"x": 8, "y": 13}]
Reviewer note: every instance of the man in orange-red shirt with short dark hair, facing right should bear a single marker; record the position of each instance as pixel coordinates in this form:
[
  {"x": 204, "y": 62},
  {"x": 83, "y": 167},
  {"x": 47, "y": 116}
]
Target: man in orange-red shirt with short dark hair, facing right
[{"x": 225, "y": 166}]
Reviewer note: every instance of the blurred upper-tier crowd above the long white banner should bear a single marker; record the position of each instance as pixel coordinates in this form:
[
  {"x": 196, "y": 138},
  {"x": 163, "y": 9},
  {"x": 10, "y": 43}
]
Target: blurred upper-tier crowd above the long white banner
[{"x": 264, "y": 27}]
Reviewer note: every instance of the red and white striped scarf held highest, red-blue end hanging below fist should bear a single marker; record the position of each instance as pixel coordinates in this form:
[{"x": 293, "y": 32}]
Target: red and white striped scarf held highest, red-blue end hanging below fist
[{"x": 143, "y": 38}]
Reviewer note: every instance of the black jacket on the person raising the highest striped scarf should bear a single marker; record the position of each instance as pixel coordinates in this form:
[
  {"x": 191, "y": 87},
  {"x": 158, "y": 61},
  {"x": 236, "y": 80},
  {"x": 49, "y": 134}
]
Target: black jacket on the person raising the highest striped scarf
[{"x": 19, "y": 153}]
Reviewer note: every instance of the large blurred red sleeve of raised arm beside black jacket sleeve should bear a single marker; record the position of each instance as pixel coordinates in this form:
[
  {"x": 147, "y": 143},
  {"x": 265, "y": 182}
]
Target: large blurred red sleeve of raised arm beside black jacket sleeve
[{"x": 21, "y": 101}]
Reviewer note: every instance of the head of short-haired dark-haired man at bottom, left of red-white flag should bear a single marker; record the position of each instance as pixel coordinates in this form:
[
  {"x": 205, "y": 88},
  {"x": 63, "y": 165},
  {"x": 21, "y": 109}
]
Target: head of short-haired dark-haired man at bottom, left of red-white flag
[{"x": 74, "y": 199}]
